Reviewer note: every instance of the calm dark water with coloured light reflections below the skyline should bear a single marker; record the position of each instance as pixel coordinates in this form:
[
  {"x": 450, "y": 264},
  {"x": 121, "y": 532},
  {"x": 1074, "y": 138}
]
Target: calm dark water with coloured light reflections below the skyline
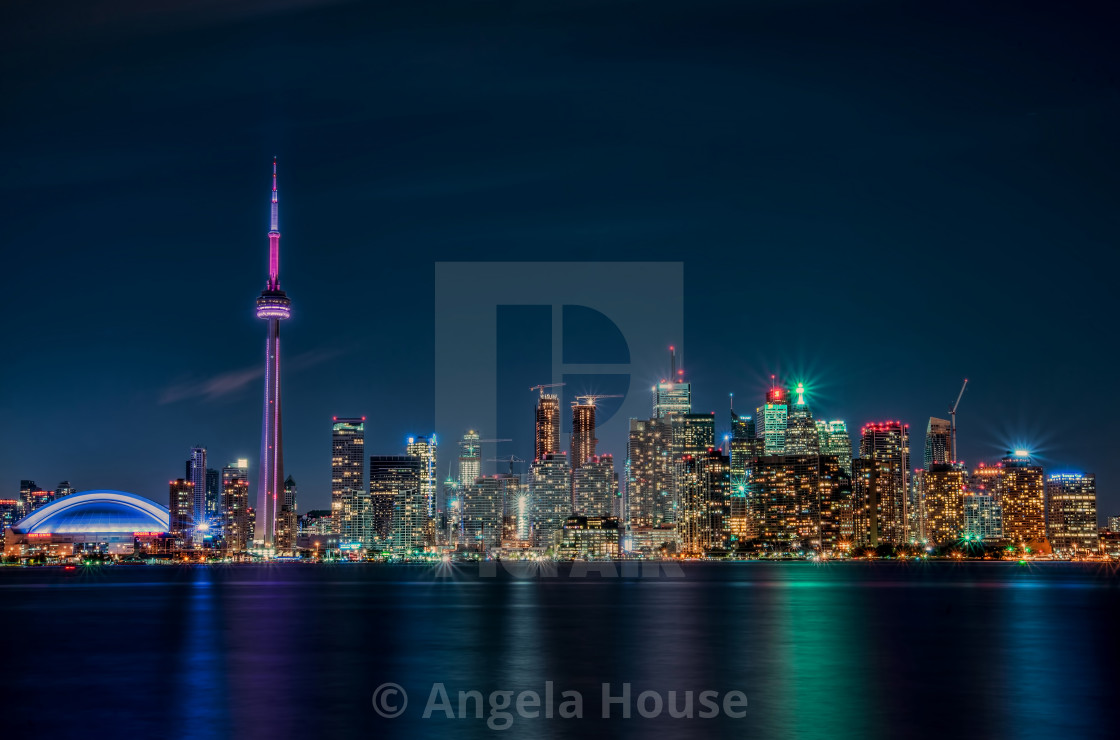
[{"x": 838, "y": 651}]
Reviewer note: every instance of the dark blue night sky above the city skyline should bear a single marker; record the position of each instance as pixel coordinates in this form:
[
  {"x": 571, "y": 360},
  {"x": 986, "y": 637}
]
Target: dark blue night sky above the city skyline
[{"x": 880, "y": 199}]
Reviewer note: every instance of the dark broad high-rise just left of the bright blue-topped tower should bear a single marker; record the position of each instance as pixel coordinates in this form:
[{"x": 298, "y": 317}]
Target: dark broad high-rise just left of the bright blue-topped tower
[{"x": 395, "y": 491}]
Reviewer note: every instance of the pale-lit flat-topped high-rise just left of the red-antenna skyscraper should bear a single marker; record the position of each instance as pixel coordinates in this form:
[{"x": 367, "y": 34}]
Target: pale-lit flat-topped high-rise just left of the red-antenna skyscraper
[{"x": 649, "y": 473}]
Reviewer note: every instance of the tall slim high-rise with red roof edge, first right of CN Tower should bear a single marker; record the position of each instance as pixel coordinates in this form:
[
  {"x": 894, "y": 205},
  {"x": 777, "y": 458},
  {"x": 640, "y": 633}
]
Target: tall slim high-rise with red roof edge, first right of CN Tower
[{"x": 351, "y": 511}]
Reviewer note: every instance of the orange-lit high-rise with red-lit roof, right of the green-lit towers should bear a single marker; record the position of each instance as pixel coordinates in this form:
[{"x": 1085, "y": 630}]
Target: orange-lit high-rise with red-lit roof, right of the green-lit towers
[{"x": 889, "y": 443}]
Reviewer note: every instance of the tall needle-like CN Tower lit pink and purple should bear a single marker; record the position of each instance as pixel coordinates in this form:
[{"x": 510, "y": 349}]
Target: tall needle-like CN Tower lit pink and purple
[{"x": 274, "y": 307}]
